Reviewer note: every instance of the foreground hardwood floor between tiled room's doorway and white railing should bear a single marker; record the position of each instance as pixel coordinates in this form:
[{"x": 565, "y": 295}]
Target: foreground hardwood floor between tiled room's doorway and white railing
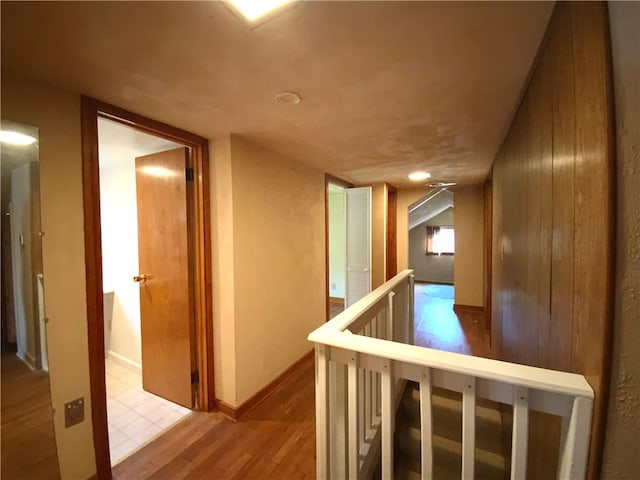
[{"x": 274, "y": 440}]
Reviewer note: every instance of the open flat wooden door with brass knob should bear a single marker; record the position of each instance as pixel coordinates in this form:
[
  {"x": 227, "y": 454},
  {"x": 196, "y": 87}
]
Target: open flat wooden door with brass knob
[{"x": 166, "y": 292}]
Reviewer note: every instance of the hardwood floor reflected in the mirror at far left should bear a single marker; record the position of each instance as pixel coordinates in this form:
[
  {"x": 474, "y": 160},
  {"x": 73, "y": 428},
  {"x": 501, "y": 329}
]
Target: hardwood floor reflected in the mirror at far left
[{"x": 27, "y": 436}]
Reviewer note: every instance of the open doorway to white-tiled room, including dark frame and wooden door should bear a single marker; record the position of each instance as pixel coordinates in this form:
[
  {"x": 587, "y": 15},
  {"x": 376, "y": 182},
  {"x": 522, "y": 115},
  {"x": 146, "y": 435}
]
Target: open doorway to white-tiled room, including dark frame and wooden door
[{"x": 147, "y": 253}]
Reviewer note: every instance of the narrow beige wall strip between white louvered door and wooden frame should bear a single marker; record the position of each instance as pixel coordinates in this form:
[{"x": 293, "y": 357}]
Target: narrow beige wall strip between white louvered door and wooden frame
[{"x": 378, "y": 234}]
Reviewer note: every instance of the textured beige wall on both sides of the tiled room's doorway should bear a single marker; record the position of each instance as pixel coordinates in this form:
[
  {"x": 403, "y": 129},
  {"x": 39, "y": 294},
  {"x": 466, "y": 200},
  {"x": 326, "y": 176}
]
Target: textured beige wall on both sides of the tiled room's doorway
[{"x": 268, "y": 261}]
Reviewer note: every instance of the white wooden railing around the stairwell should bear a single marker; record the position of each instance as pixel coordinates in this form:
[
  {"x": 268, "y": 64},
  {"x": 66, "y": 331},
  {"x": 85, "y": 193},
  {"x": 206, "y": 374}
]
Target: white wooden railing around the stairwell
[{"x": 364, "y": 357}]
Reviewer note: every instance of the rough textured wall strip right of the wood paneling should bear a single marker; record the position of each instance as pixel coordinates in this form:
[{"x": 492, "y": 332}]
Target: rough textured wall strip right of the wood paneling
[{"x": 621, "y": 459}]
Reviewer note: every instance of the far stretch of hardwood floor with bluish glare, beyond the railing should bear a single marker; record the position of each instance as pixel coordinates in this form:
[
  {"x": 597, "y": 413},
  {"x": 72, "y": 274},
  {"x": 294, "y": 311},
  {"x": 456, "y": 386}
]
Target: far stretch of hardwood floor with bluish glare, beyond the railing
[{"x": 438, "y": 326}]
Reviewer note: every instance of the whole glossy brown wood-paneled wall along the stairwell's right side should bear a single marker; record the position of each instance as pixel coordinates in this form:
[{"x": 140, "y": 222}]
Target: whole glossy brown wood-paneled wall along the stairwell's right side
[{"x": 553, "y": 218}]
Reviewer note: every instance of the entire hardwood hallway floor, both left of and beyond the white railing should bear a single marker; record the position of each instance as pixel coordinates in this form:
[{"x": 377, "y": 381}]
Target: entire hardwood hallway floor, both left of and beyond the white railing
[{"x": 277, "y": 438}]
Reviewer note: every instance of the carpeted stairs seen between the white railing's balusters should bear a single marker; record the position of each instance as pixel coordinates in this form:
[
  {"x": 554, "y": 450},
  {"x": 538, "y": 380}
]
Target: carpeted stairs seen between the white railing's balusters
[{"x": 490, "y": 455}]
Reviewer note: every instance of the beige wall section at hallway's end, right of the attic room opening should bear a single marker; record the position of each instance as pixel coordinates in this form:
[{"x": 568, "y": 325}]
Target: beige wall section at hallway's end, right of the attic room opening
[{"x": 468, "y": 268}]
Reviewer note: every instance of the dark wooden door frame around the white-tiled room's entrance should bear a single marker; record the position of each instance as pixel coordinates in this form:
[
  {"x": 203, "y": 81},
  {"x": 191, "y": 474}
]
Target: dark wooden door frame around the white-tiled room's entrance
[{"x": 91, "y": 110}]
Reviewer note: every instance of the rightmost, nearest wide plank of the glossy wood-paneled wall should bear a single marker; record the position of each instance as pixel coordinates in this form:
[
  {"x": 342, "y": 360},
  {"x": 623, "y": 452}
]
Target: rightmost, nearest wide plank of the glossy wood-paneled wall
[{"x": 594, "y": 212}]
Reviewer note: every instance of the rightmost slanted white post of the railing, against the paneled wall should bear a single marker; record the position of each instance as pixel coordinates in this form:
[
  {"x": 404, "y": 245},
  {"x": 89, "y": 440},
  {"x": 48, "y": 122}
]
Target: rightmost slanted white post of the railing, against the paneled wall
[{"x": 574, "y": 441}]
